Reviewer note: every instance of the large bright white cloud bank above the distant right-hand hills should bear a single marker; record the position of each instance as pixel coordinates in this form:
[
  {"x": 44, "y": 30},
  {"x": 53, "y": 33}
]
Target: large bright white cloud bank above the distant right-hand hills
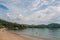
[{"x": 44, "y": 15}]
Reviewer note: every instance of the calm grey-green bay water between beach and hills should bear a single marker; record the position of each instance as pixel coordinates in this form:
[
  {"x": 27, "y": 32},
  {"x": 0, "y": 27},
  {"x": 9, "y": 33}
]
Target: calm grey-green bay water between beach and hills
[{"x": 41, "y": 32}]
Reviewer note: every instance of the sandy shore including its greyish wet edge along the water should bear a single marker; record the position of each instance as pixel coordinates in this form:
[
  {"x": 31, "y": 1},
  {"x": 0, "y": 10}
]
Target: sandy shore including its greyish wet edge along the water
[{"x": 9, "y": 35}]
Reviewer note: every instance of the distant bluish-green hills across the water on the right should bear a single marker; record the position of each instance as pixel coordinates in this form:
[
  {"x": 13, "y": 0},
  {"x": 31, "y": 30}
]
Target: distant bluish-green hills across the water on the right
[{"x": 52, "y": 25}]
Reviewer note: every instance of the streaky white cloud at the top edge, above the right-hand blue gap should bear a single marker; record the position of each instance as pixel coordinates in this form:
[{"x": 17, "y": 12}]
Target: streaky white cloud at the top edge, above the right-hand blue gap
[{"x": 38, "y": 3}]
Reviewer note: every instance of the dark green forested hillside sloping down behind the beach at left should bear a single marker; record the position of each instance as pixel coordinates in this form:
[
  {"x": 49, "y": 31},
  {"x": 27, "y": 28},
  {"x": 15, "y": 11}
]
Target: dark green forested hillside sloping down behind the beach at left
[{"x": 10, "y": 25}]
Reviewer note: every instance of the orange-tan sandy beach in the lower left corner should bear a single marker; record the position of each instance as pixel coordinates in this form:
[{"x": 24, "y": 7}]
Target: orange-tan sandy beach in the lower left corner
[{"x": 6, "y": 35}]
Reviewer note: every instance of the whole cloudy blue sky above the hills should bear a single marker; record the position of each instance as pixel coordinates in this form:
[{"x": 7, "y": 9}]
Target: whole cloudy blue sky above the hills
[{"x": 30, "y": 11}]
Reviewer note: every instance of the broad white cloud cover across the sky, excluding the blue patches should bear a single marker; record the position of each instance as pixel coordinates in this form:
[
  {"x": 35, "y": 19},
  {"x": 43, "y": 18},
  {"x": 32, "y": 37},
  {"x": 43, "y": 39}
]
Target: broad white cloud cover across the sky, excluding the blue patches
[{"x": 18, "y": 13}]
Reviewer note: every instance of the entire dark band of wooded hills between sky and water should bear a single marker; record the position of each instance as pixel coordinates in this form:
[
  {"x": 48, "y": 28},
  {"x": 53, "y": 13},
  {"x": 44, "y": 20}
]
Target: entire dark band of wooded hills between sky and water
[{"x": 14, "y": 26}]
